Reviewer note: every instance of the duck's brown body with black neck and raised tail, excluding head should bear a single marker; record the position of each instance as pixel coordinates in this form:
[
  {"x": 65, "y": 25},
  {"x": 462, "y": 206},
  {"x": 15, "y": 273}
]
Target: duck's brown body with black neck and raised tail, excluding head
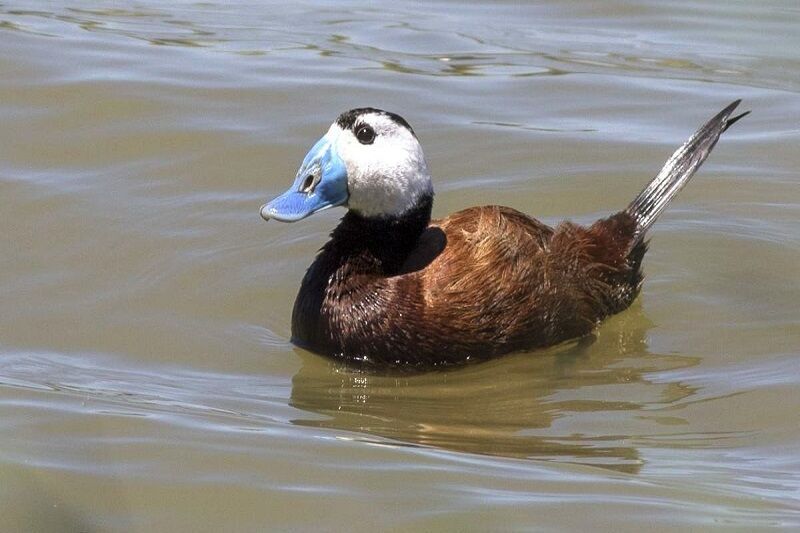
[{"x": 411, "y": 293}]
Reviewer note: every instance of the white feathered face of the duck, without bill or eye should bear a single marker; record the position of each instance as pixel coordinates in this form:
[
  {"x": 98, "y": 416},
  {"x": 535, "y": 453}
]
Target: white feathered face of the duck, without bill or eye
[{"x": 386, "y": 177}]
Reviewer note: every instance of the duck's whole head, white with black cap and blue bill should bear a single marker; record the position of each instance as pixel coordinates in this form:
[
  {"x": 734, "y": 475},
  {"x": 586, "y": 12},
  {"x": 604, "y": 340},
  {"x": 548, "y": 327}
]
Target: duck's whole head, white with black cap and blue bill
[{"x": 369, "y": 161}]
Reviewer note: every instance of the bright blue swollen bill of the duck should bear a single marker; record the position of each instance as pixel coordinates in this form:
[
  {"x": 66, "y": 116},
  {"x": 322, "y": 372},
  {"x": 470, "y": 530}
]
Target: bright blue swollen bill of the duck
[{"x": 321, "y": 183}]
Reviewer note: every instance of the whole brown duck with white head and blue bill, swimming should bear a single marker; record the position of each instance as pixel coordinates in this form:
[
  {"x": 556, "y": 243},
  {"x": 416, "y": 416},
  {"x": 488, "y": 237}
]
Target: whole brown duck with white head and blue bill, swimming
[{"x": 394, "y": 289}]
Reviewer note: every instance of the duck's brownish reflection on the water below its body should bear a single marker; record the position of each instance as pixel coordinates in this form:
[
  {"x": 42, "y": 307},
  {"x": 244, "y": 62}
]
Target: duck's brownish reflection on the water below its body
[{"x": 581, "y": 403}]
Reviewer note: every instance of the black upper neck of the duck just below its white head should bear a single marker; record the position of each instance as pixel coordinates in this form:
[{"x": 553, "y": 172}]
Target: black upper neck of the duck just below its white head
[{"x": 379, "y": 245}]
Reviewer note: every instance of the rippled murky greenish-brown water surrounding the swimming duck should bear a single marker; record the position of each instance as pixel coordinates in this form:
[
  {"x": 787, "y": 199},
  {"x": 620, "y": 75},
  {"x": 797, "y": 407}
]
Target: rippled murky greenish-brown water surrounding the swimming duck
[{"x": 146, "y": 379}]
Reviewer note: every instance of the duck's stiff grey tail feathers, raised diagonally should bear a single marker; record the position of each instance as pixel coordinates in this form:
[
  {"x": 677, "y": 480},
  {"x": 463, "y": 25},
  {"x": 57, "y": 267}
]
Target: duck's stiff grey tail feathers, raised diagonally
[{"x": 677, "y": 171}]
